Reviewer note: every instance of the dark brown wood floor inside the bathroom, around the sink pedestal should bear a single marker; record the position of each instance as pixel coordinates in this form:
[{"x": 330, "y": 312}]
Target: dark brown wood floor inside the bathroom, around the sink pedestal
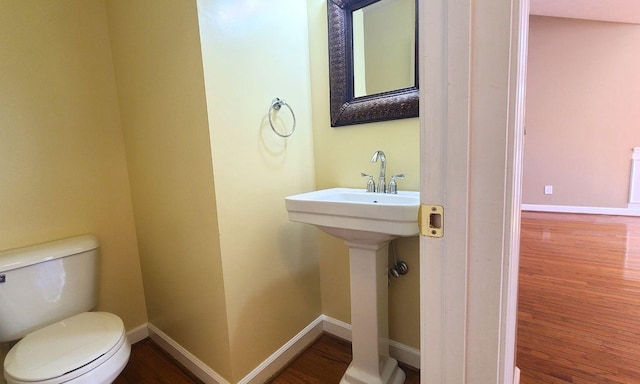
[{"x": 324, "y": 362}]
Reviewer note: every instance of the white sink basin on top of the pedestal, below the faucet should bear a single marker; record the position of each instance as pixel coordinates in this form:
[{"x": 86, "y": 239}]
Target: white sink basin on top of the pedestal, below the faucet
[{"x": 357, "y": 215}]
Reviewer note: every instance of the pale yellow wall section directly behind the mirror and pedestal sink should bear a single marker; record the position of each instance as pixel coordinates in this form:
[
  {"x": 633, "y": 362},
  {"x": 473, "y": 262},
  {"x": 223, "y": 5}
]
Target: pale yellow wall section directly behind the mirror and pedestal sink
[{"x": 341, "y": 154}]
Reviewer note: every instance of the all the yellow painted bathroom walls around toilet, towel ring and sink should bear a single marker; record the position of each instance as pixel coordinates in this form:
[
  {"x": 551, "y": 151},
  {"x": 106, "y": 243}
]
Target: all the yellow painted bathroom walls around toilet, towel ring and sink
[{"x": 225, "y": 273}]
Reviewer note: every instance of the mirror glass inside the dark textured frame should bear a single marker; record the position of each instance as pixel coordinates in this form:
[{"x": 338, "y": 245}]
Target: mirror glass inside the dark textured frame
[{"x": 383, "y": 47}]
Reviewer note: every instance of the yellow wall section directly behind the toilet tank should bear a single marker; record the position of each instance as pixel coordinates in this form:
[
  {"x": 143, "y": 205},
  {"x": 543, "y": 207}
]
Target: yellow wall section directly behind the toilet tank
[{"x": 62, "y": 161}]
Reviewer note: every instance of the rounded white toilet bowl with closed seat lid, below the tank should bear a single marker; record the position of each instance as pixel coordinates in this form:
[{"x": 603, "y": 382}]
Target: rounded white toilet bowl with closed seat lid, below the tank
[{"x": 90, "y": 343}]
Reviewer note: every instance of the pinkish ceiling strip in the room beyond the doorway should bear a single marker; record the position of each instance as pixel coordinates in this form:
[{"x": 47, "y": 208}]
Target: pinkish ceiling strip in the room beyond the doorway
[{"x": 622, "y": 11}]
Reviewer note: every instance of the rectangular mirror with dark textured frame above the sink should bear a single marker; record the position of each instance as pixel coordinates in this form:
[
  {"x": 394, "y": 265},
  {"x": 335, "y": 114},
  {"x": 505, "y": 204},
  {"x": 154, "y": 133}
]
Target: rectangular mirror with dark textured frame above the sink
[{"x": 373, "y": 68}]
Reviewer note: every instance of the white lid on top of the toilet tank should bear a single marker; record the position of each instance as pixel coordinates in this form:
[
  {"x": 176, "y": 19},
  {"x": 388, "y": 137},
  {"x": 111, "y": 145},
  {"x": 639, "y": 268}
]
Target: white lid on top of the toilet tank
[{"x": 34, "y": 254}]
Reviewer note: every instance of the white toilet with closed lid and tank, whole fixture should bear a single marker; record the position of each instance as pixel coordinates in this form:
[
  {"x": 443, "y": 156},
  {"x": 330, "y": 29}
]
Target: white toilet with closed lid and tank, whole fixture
[{"x": 46, "y": 291}]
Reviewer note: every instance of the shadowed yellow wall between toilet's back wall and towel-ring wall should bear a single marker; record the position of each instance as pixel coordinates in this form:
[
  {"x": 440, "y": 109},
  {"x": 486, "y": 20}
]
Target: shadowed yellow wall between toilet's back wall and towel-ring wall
[{"x": 160, "y": 81}]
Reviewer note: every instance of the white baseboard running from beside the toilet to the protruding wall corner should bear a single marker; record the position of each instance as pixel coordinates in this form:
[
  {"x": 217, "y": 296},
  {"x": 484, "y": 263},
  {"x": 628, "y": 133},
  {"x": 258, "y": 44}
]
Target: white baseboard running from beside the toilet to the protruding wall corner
[{"x": 184, "y": 357}]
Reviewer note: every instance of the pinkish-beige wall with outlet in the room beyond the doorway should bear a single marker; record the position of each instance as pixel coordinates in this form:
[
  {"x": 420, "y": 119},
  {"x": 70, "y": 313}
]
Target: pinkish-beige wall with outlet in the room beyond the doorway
[{"x": 582, "y": 112}]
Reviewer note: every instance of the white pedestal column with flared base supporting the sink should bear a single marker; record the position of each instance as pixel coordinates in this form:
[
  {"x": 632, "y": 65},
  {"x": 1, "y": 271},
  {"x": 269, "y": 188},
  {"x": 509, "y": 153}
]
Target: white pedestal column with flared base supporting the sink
[{"x": 371, "y": 362}]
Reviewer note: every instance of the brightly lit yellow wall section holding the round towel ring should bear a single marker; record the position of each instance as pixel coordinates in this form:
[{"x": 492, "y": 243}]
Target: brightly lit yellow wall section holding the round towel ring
[{"x": 252, "y": 53}]
